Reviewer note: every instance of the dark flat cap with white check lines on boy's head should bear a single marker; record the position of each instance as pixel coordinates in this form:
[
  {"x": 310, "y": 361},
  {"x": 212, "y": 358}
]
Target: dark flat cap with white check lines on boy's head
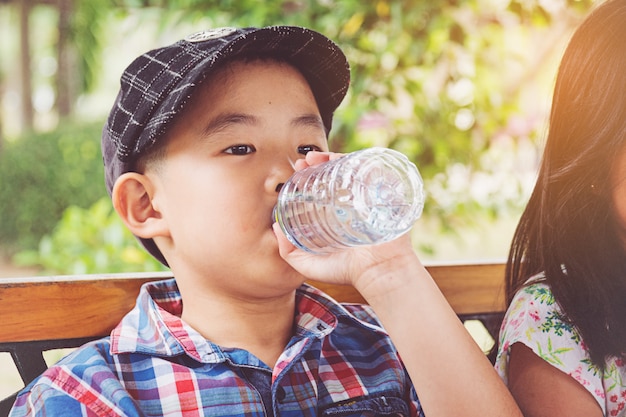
[{"x": 157, "y": 85}]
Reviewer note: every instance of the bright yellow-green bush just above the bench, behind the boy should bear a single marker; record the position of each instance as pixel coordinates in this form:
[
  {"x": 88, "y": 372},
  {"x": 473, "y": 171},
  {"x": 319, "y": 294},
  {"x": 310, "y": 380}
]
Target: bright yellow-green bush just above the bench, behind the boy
[{"x": 92, "y": 240}]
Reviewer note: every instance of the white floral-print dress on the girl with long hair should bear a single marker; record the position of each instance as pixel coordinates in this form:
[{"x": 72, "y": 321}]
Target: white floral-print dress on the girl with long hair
[{"x": 534, "y": 319}]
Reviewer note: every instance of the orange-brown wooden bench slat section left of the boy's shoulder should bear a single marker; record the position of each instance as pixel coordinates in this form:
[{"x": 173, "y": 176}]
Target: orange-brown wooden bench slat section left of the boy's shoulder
[{"x": 65, "y": 307}]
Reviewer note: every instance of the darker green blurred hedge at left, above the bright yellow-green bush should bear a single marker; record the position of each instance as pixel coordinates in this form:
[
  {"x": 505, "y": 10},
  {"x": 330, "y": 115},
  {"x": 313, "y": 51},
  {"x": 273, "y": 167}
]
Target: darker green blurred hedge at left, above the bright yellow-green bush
[{"x": 41, "y": 175}]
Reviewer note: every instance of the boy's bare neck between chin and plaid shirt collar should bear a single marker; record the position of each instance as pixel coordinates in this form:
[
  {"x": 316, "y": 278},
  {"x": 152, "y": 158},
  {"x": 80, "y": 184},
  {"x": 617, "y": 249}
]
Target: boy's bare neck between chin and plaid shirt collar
[{"x": 262, "y": 328}]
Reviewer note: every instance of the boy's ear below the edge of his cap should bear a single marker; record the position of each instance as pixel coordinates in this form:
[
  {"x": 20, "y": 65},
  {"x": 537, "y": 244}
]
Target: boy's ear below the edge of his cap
[{"x": 132, "y": 198}]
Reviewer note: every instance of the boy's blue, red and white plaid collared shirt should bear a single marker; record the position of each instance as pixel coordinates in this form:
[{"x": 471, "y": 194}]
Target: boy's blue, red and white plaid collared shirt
[{"x": 338, "y": 362}]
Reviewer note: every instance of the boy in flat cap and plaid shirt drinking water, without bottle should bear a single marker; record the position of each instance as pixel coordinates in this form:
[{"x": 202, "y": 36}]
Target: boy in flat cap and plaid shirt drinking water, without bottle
[{"x": 202, "y": 136}]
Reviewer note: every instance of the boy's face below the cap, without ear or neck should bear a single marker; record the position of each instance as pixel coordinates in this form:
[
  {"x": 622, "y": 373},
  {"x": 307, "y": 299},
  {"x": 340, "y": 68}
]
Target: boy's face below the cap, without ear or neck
[{"x": 218, "y": 183}]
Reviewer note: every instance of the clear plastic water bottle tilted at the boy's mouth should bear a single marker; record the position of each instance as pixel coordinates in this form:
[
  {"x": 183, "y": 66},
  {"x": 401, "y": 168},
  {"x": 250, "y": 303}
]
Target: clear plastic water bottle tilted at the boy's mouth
[{"x": 362, "y": 198}]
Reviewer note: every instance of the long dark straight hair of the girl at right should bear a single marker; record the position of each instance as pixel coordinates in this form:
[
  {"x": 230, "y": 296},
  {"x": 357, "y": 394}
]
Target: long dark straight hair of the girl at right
[{"x": 569, "y": 229}]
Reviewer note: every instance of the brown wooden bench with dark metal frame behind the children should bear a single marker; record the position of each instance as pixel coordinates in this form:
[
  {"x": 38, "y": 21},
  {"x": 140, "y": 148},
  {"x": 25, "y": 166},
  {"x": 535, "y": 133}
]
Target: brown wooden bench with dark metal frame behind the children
[{"x": 51, "y": 312}]
